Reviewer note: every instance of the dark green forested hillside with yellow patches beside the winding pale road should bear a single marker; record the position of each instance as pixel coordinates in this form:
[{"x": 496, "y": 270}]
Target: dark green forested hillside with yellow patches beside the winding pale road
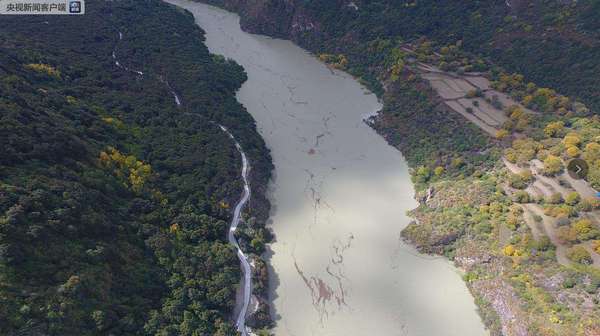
[{"x": 114, "y": 201}]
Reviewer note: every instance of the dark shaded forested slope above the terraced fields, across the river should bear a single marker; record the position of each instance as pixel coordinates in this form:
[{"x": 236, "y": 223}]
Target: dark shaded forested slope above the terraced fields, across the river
[{"x": 553, "y": 43}]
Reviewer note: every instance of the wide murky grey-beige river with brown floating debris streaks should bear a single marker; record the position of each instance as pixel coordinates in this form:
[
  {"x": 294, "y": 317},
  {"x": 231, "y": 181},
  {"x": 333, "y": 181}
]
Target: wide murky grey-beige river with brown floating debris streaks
[{"x": 339, "y": 195}]
